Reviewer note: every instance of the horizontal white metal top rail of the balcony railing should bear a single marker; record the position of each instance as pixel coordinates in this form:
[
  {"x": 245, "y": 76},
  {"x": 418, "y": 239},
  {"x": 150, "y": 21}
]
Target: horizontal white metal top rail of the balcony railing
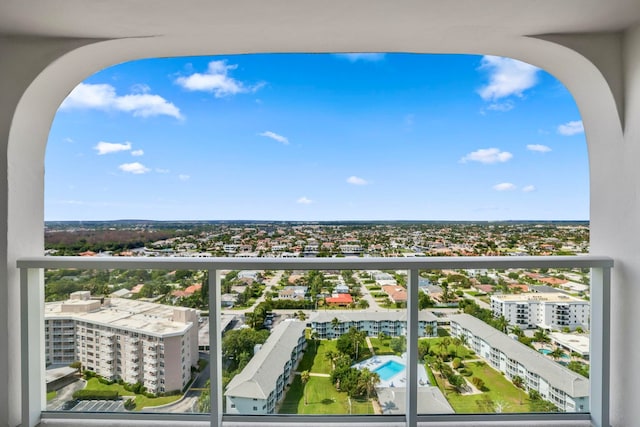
[{"x": 348, "y": 263}]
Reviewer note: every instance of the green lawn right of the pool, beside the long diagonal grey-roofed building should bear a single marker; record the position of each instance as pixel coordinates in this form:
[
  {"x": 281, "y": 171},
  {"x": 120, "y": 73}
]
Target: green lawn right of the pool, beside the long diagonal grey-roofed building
[{"x": 500, "y": 391}]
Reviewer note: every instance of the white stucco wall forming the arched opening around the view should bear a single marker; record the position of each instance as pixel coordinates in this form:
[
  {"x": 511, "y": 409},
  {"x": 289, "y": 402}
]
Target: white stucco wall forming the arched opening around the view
[{"x": 36, "y": 74}]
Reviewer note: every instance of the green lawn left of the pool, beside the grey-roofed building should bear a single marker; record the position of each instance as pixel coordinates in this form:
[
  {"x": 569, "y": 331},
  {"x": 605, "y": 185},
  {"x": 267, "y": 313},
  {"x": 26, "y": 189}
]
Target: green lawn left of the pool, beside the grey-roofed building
[{"x": 322, "y": 398}]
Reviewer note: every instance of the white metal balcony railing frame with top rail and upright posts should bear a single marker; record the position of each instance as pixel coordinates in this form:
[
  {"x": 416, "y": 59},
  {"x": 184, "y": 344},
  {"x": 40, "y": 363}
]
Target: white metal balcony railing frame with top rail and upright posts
[{"x": 600, "y": 267}]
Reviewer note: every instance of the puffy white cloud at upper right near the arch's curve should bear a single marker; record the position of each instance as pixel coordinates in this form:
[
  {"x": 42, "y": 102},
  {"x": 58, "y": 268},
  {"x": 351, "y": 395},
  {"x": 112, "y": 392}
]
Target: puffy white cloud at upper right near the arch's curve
[{"x": 507, "y": 77}]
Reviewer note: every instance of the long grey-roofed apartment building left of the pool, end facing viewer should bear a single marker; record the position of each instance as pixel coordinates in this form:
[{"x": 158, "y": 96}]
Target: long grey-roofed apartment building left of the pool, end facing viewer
[{"x": 260, "y": 386}]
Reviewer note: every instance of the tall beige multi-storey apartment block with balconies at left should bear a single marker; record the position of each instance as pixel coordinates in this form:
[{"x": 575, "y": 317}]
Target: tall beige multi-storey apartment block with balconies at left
[{"x": 120, "y": 338}]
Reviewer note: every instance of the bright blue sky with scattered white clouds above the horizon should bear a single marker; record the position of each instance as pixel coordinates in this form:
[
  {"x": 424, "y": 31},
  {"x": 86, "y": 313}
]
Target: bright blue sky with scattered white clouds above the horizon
[{"x": 318, "y": 137}]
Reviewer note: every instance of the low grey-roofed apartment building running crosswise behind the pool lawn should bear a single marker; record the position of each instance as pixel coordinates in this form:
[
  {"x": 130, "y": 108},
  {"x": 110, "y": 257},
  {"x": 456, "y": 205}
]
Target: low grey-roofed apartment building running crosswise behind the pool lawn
[{"x": 393, "y": 323}]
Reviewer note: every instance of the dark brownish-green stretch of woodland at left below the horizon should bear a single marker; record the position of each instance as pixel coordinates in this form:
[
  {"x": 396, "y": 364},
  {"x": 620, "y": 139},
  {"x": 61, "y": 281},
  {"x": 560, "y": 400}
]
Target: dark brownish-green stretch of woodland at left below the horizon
[{"x": 73, "y": 242}]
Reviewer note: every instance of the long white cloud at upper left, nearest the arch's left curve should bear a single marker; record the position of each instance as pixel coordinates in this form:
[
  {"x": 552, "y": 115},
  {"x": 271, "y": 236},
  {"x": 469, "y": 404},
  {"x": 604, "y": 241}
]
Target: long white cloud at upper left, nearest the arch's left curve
[{"x": 104, "y": 97}]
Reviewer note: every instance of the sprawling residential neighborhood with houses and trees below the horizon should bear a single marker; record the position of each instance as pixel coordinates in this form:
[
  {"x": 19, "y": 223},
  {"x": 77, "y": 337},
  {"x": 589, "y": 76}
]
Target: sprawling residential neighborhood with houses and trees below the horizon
[{"x": 290, "y": 335}]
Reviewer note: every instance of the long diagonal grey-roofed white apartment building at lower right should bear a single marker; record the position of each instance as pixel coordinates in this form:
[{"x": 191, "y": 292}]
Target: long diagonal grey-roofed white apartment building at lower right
[{"x": 564, "y": 388}]
